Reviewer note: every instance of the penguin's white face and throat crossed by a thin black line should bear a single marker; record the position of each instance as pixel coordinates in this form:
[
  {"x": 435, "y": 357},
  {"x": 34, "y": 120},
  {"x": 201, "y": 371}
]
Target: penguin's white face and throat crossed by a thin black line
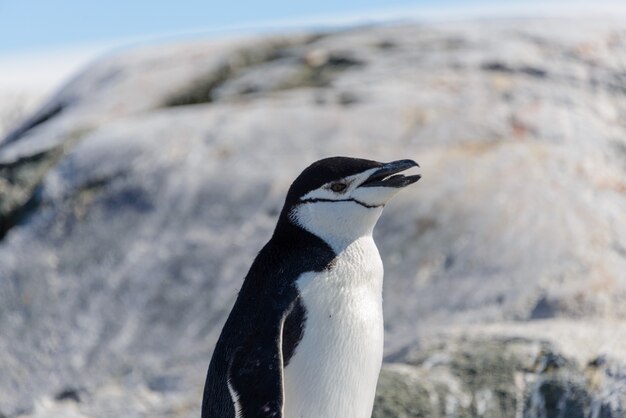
[{"x": 340, "y": 211}]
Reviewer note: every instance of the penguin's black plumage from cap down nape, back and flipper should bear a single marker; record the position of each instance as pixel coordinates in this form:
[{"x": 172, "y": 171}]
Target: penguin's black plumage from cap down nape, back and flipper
[{"x": 248, "y": 353}]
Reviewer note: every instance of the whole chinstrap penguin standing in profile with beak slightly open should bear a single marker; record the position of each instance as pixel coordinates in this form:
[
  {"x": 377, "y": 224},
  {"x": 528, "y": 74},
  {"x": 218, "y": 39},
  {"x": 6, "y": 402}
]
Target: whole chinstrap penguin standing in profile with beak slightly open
[{"x": 304, "y": 338}]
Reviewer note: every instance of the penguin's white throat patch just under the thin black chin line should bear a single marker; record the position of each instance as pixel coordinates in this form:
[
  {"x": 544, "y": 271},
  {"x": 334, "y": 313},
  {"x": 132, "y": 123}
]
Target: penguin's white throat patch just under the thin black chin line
[{"x": 337, "y": 224}]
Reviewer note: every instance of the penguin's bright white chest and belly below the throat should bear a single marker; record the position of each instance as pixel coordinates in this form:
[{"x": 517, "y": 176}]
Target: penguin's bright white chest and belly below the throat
[{"x": 334, "y": 370}]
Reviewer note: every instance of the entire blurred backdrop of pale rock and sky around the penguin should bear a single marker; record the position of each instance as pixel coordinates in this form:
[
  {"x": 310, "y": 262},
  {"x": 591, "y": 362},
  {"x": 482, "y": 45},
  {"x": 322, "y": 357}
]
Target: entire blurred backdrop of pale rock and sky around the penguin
[{"x": 146, "y": 149}]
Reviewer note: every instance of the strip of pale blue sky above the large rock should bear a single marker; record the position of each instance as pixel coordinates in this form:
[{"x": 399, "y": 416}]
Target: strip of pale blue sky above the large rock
[{"x": 44, "y": 24}]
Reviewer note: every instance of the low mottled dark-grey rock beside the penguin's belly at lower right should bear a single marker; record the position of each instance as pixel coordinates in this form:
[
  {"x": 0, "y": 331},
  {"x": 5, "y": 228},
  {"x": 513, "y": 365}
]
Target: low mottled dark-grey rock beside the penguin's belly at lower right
[{"x": 498, "y": 378}]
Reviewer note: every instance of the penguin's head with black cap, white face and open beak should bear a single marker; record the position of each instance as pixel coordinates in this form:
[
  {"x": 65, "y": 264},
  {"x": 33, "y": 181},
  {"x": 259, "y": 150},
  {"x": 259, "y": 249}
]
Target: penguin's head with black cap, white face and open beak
[{"x": 340, "y": 199}]
